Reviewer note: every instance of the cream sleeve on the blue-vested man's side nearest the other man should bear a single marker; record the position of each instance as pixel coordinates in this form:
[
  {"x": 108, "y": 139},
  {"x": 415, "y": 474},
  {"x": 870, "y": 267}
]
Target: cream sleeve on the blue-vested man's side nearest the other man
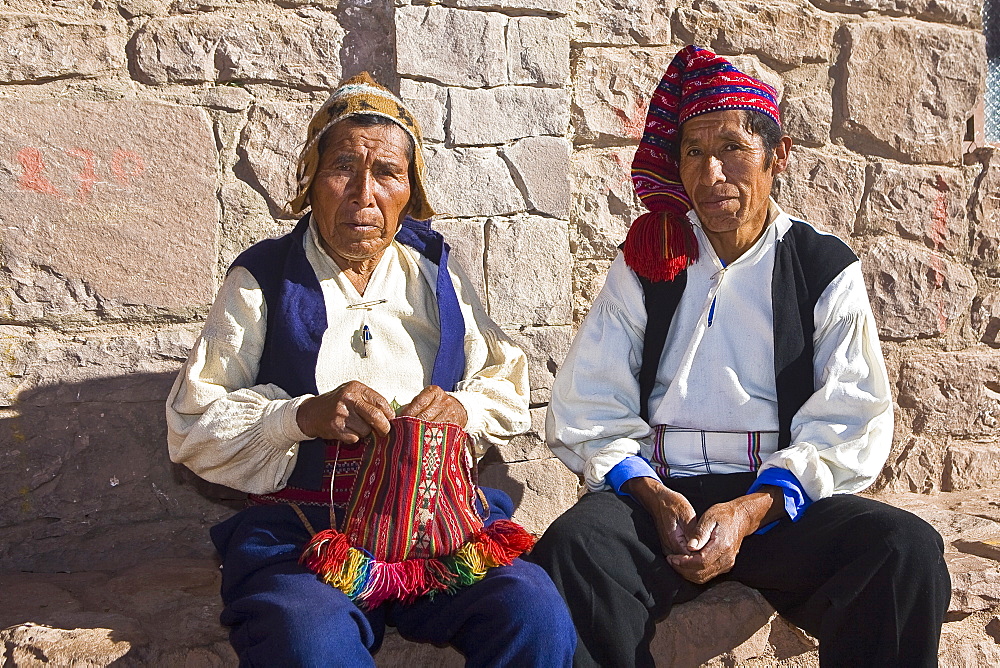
[{"x": 495, "y": 390}]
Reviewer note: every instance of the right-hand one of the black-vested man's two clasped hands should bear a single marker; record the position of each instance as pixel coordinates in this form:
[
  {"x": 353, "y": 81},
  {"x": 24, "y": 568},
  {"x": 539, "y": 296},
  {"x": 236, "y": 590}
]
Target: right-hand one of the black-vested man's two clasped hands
[{"x": 715, "y": 539}]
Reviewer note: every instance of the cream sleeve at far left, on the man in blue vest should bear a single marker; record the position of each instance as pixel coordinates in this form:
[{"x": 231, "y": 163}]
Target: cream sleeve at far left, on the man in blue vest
[{"x": 220, "y": 424}]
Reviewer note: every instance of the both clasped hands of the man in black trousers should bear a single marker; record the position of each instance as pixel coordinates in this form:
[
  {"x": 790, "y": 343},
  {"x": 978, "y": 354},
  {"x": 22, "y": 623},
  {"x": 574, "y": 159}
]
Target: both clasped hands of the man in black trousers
[{"x": 701, "y": 548}]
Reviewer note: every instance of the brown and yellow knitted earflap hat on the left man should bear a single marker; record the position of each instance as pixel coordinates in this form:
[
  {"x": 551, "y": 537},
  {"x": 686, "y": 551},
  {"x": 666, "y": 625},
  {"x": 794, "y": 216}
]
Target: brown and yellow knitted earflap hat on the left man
[{"x": 361, "y": 95}]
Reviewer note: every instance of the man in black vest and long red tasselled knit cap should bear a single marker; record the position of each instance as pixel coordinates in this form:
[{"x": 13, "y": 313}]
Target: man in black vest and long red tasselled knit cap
[{"x": 724, "y": 399}]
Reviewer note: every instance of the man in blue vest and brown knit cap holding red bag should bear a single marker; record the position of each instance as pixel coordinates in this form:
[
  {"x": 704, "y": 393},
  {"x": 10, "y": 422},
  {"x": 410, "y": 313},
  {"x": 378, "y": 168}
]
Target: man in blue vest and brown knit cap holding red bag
[{"x": 317, "y": 343}]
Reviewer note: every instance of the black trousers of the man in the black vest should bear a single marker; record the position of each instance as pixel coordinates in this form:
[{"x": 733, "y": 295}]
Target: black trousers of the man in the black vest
[{"x": 868, "y": 580}]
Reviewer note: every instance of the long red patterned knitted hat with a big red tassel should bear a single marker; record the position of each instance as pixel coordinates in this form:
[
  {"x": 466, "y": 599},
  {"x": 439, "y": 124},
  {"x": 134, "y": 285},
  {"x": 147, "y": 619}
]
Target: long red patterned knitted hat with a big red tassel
[{"x": 660, "y": 244}]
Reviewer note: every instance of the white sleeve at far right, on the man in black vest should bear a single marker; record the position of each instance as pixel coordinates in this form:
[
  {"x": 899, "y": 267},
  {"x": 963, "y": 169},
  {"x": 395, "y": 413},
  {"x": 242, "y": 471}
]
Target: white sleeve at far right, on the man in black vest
[{"x": 842, "y": 435}]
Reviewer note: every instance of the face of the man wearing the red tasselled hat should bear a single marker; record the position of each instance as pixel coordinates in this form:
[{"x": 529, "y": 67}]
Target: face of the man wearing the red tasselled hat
[{"x": 722, "y": 166}]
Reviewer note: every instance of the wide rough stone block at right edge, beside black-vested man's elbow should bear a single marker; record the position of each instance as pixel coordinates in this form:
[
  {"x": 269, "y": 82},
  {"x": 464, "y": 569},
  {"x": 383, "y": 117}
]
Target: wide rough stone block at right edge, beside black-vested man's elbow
[{"x": 953, "y": 393}]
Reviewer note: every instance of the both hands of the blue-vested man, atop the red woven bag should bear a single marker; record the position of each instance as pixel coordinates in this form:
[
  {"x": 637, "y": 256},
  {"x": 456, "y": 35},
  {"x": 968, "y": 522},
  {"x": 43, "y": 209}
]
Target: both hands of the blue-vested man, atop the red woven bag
[{"x": 353, "y": 411}]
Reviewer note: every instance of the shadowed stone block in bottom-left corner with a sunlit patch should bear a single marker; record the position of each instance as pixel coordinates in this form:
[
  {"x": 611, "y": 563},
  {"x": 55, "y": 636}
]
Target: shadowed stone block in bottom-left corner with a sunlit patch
[{"x": 118, "y": 618}]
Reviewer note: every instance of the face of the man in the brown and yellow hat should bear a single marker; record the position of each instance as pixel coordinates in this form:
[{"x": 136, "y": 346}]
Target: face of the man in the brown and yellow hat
[{"x": 362, "y": 189}]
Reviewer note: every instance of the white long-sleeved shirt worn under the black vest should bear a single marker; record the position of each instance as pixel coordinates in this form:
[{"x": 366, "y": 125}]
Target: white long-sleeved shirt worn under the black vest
[{"x": 717, "y": 373}]
